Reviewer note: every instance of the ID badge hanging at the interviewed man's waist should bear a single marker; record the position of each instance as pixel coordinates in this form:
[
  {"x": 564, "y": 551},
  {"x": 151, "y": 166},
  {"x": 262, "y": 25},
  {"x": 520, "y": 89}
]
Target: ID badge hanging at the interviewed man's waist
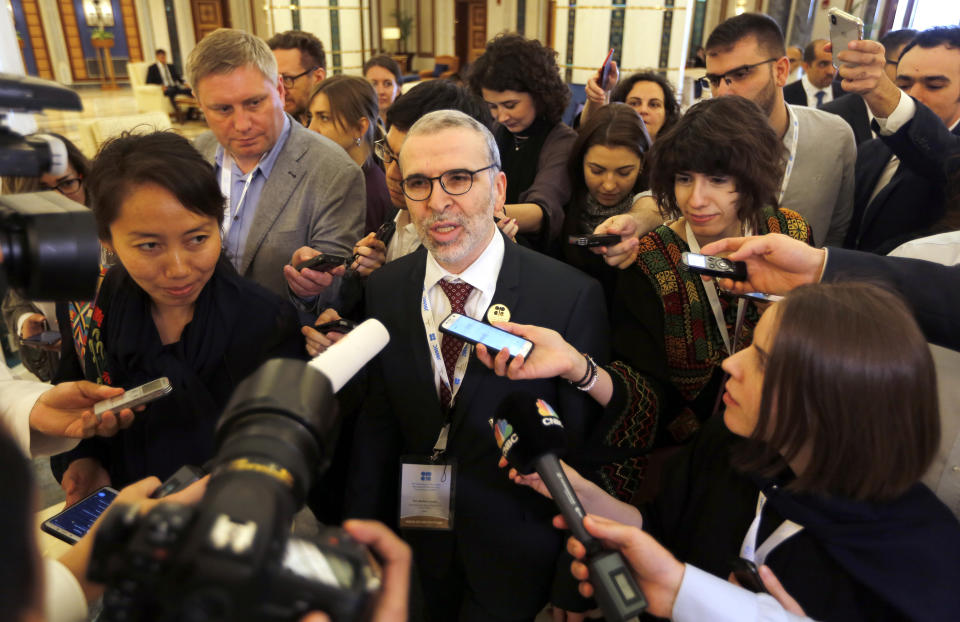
[{"x": 427, "y": 489}]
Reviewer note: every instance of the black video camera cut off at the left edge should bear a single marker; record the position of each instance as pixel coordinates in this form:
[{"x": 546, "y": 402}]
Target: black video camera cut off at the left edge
[{"x": 48, "y": 243}]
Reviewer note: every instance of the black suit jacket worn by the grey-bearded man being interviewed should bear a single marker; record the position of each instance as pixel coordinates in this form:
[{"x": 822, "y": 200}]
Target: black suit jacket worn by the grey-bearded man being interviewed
[{"x": 502, "y": 538}]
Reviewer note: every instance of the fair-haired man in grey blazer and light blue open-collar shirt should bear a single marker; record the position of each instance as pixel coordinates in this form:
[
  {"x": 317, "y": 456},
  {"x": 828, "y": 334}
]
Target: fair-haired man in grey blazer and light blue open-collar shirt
[{"x": 291, "y": 194}]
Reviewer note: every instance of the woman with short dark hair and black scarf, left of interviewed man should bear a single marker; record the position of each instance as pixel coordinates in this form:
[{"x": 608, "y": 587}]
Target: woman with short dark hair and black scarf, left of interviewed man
[{"x": 172, "y": 307}]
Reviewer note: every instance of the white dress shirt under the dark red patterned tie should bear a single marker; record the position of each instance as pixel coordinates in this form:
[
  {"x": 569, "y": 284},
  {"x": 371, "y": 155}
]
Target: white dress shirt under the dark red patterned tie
[{"x": 481, "y": 274}]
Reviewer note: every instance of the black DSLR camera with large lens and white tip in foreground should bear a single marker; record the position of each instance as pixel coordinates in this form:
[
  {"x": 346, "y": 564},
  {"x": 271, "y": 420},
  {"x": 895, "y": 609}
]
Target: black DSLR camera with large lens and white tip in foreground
[{"x": 232, "y": 557}]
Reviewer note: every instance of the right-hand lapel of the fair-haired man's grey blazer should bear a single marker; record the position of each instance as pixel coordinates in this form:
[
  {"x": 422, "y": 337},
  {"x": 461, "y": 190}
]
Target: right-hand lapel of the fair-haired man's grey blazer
[{"x": 284, "y": 178}]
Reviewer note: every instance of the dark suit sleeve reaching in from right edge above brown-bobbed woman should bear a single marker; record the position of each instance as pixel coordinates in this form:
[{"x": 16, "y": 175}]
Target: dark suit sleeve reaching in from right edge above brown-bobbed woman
[{"x": 931, "y": 289}]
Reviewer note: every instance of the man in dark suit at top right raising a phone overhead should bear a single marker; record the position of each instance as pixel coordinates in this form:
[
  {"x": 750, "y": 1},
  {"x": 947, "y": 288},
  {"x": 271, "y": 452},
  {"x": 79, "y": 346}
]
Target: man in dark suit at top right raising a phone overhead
[{"x": 901, "y": 176}]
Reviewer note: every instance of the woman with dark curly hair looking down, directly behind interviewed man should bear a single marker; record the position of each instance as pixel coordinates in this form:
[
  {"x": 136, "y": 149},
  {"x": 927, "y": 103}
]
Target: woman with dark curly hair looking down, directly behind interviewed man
[{"x": 520, "y": 81}]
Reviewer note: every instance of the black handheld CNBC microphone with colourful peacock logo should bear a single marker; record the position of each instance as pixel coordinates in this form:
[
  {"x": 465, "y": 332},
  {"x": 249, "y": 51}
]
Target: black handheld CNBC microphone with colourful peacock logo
[{"x": 522, "y": 416}]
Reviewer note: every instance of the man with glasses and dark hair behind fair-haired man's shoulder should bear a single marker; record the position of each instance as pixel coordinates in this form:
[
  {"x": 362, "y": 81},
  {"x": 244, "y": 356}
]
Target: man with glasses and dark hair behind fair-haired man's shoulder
[{"x": 302, "y": 64}]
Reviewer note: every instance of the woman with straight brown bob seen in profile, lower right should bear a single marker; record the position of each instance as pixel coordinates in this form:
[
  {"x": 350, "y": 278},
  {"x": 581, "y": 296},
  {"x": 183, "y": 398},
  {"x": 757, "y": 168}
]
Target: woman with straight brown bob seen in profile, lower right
[{"x": 814, "y": 467}]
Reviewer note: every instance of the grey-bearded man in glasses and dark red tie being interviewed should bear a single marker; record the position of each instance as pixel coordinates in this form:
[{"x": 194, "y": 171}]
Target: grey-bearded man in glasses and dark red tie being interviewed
[{"x": 485, "y": 549}]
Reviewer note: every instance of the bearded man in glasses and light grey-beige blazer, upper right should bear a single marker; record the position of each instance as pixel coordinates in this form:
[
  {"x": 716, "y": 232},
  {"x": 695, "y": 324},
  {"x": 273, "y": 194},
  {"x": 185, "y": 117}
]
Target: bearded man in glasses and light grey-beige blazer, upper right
[{"x": 746, "y": 57}]
